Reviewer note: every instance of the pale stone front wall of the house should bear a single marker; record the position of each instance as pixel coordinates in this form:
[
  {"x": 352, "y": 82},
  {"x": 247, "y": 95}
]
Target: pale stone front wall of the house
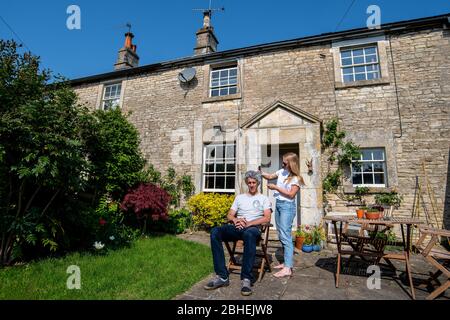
[{"x": 304, "y": 77}]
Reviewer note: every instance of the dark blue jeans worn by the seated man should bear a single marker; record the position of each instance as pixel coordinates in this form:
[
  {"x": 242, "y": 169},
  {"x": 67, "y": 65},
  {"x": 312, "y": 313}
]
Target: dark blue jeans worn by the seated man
[{"x": 230, "y": 233}]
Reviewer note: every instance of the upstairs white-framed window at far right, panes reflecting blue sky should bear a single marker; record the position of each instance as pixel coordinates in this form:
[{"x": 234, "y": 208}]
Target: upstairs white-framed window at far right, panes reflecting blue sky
[{"x": 360, "y": 63}]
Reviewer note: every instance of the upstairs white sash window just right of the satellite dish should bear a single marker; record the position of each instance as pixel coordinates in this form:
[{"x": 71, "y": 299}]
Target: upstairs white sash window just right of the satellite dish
[{"x": 223, "y": 81}]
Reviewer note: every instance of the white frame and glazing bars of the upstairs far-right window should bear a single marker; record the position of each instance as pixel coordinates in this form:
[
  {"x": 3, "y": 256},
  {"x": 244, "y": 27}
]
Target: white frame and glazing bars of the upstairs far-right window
[{"x": 364, "y": 64}]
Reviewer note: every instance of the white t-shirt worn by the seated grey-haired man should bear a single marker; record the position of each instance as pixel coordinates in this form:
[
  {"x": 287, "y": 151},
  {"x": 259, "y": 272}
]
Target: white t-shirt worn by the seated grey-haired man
[{"x": 250, "y": 207}]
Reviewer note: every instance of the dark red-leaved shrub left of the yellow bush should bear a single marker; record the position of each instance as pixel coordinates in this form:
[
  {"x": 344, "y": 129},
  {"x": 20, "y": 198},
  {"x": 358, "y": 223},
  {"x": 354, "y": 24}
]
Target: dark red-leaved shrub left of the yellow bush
[{"x": 147, "y": 200}]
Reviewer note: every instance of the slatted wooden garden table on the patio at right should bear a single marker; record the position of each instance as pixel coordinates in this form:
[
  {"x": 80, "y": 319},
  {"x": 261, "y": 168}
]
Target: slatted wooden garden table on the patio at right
[{"x": 371, "y": 246}]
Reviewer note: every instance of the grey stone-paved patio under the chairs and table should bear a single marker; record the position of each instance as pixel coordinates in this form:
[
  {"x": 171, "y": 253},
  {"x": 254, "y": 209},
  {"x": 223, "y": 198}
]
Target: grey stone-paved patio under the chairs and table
[{"x": 314, "y": 279}]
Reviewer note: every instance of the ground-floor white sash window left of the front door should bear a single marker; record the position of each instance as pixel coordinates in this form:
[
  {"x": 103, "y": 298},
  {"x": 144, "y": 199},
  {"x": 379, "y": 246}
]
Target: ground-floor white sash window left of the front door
[{"x": 219, "y": 167}]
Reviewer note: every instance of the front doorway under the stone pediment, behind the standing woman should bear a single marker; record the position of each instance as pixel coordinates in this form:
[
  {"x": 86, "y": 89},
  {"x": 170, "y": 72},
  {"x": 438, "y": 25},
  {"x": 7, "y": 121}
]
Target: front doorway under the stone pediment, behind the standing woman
[{"x": 271, "y": 159}]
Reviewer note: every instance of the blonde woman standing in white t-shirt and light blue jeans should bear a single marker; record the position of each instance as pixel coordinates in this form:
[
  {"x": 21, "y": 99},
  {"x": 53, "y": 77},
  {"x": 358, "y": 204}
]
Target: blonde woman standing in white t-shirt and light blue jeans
[{"x": 288, "y": 184}]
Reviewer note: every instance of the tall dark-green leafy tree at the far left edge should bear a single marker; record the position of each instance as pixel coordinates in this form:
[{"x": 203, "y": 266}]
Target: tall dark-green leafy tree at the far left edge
[{"x": 41, "y": 154}]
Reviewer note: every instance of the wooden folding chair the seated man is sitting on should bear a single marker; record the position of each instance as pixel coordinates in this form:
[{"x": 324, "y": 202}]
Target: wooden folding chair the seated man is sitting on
[{"x": 237, "y": 249}]
